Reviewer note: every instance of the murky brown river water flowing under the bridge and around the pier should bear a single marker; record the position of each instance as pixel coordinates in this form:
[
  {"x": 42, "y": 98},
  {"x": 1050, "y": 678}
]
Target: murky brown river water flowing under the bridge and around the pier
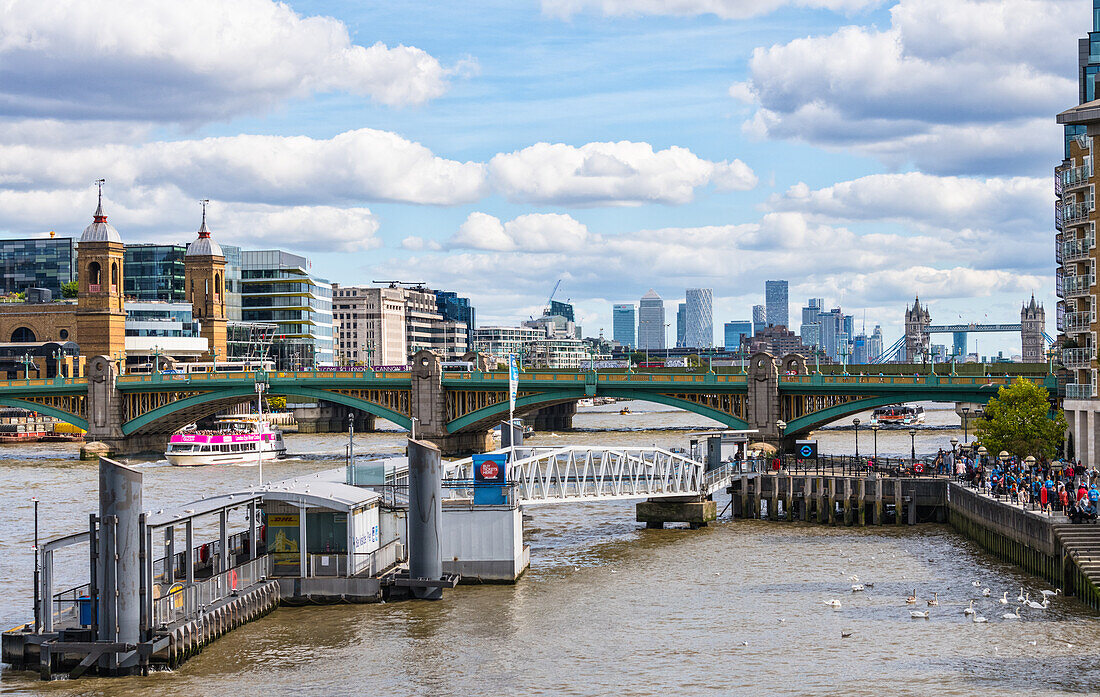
[{"x": 608, "y": 607}]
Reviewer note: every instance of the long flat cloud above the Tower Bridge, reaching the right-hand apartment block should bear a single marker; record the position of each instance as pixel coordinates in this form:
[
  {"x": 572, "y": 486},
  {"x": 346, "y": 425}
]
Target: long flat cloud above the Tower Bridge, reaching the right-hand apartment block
[{"x": 1020, "y": 204}]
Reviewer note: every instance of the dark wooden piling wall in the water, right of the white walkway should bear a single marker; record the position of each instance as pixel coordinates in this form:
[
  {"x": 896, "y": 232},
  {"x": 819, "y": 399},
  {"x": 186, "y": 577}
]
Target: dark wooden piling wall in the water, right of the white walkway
[{"x": 833, "y": 500}]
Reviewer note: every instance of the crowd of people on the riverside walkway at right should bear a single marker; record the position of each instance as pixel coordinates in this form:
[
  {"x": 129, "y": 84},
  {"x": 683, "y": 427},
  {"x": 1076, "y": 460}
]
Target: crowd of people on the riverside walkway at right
[{"x": 1052, "y": 488}]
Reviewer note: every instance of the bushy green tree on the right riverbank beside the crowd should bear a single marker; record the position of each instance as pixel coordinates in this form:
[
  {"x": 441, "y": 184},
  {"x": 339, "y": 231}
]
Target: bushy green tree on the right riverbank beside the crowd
[{"x": 1019, "y": 421}]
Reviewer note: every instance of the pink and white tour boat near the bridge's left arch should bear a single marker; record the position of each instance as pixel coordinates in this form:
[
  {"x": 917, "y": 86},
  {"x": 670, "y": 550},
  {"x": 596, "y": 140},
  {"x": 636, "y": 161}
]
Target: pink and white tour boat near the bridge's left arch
[{"x": 235, "y": 442}]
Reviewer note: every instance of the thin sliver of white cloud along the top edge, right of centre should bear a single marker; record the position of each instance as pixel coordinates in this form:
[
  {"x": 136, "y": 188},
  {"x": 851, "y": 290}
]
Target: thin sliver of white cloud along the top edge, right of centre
[{"x": 724, "y": 9}]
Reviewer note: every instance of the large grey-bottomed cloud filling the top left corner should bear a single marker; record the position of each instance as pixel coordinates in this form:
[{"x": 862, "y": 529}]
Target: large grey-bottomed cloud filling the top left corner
[{"x": 191, "y": 62}]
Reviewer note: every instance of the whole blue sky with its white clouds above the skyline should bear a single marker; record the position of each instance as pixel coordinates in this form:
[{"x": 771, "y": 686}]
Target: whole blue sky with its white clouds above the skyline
[{"x": 867, "y": 151}]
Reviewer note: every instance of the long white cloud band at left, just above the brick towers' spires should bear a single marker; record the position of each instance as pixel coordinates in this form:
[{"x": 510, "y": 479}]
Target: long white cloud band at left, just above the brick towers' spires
[{"x": 356, "y": 167}]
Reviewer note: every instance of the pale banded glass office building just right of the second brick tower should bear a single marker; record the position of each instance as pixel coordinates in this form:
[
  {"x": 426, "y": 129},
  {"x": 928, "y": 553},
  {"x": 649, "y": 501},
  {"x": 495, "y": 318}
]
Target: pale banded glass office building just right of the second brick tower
[{"x": 279, "y": 289}]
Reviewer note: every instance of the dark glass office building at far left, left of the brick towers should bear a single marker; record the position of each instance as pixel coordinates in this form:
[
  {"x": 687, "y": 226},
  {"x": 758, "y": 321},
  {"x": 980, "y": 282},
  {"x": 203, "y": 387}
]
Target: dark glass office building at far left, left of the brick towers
[{"x": 47, "y": 263}]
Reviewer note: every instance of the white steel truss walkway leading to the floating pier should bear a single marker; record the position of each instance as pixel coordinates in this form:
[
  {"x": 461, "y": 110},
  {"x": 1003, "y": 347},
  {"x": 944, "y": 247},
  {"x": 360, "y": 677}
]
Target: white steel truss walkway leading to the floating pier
[{"x": 595, "y": 473}]
